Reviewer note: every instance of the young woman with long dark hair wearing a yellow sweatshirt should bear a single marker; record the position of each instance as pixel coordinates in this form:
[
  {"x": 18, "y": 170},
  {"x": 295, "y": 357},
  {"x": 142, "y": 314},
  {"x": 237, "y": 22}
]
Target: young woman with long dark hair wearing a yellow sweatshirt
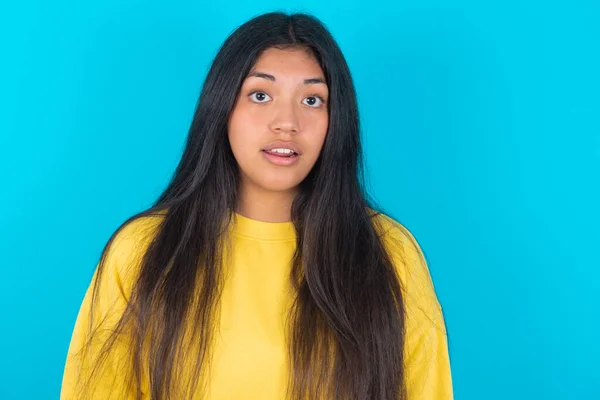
[{"x": 264, "y": 270}]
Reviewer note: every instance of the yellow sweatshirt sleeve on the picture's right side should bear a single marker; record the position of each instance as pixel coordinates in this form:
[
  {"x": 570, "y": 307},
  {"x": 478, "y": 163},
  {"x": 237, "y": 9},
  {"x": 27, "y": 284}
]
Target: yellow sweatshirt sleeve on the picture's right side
[{"x": 427, "y": 362}]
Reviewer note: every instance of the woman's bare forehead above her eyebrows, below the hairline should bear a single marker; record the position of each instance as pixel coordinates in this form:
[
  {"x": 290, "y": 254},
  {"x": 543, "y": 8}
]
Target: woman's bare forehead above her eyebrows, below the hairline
[{"x": 291, "y": 62}]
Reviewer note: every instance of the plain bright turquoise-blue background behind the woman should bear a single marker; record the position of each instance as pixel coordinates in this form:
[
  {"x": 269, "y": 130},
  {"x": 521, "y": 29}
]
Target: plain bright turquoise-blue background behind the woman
[{"x": 482, "y": 135}]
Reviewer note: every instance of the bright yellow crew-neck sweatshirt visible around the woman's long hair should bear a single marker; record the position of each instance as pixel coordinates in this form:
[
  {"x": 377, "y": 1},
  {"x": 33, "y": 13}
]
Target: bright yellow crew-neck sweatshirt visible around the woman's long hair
[{"x": 249, "y": 350}]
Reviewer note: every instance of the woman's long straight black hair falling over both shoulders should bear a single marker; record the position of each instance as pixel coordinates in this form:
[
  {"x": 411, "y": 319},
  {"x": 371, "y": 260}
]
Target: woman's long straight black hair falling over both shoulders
[{"x": 346, "y": 325}]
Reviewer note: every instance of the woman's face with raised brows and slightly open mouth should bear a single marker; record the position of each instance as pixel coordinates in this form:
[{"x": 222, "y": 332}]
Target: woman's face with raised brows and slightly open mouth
[{"x": 282, "y": 104}]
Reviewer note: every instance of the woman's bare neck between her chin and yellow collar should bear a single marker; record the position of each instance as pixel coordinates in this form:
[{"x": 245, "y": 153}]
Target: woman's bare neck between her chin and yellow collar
[{"x": 263, "y": 205}]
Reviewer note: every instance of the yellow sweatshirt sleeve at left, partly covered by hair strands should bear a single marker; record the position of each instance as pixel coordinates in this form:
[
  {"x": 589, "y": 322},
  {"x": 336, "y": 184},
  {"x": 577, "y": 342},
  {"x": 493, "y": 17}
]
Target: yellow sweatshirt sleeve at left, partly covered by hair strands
[{"x": 107, "y": 381}]
